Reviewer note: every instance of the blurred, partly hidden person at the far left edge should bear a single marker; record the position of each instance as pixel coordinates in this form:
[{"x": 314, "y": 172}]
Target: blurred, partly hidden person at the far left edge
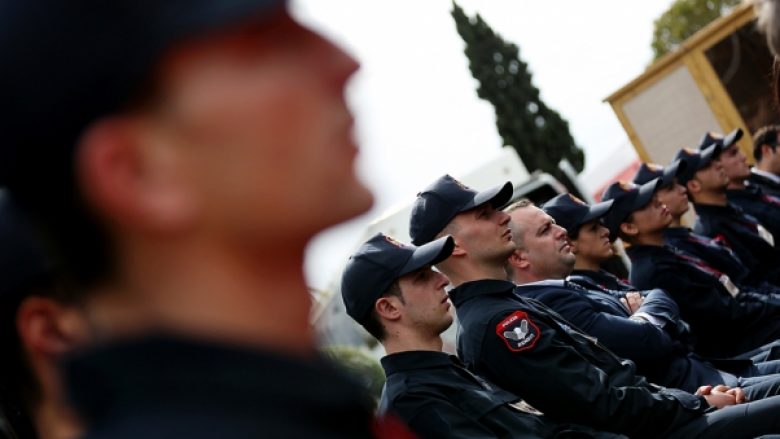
[{"x": 39, "y": 323}]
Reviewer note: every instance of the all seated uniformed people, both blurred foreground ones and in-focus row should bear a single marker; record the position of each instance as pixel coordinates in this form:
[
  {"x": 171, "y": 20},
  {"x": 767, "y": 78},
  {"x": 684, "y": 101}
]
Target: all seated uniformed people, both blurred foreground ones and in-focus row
[{"x": 164, "y": 165}]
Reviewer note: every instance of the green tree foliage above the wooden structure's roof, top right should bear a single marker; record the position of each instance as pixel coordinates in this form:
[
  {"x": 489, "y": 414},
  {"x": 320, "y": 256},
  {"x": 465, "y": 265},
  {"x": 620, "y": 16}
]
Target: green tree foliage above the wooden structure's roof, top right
[{"x": 683, "y": 19}]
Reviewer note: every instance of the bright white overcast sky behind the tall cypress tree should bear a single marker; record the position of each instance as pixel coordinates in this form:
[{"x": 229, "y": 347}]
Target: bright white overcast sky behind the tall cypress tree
[{"x": 418, "y": 115}]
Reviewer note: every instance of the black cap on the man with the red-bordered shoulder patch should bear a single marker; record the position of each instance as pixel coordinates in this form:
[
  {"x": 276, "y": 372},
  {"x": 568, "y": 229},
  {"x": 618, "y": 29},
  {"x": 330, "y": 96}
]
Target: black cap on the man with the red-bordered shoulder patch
[{"x": 438, "y": 204}]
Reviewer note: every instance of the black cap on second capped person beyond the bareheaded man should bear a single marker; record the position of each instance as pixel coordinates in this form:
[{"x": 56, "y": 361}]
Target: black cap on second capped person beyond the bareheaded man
[{"x": 627, "y": 198}]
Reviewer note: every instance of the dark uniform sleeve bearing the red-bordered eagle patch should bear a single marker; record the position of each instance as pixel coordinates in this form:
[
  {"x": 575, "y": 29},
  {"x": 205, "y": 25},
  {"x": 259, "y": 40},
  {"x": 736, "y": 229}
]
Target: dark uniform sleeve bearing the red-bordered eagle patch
[{"x": 545, "y": 369}]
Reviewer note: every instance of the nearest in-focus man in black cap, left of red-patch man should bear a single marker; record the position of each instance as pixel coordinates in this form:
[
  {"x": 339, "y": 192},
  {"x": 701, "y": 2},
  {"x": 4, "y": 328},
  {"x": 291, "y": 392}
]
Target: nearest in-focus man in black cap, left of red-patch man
[{"x": 391, "y": 290}]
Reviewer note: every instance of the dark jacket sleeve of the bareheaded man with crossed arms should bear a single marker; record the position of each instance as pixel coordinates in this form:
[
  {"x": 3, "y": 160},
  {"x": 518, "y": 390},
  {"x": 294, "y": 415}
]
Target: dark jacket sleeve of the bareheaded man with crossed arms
[{"x": 628, "y": 338}]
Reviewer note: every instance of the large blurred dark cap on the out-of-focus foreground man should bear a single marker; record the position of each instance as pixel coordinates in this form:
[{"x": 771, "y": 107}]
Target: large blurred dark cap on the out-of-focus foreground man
[{"x": 69, "y": 63}]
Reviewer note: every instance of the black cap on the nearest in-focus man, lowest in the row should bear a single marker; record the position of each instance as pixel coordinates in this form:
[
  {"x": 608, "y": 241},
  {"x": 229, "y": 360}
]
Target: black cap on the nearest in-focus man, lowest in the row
[{"x": 378, "y": 263}]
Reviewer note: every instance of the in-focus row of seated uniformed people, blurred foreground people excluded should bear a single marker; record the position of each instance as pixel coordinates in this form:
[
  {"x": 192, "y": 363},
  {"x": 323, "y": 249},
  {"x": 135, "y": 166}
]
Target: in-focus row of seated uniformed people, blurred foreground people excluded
[{"x": 550, "y": 344}]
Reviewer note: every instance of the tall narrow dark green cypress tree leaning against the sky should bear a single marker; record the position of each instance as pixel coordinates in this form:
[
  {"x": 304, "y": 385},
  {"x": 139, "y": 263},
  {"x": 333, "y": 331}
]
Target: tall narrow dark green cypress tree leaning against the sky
[{"x": 538, "y": 133}]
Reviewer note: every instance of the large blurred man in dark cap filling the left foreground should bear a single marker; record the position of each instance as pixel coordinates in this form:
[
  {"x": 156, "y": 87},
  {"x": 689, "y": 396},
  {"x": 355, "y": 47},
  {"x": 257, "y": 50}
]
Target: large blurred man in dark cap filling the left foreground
[{"x": 173, "y": 151}]
